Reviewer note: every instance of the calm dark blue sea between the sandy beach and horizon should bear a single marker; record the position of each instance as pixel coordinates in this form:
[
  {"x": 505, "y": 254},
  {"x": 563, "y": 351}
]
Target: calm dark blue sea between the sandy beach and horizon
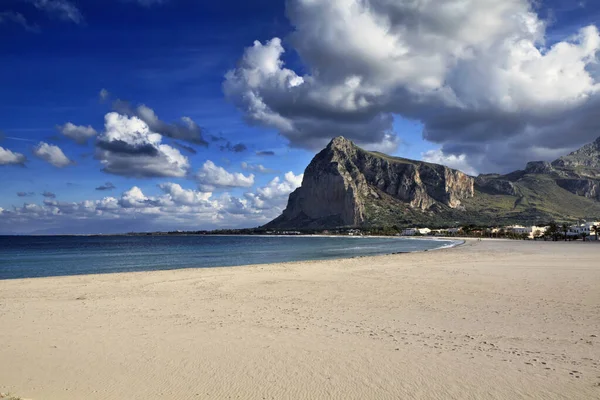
[{"x": 39, "y": 256}]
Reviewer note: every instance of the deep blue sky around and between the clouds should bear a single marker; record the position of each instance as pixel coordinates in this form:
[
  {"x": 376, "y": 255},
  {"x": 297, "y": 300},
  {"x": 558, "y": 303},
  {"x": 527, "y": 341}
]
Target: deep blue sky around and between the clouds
[{"x": 172, "y": 57}]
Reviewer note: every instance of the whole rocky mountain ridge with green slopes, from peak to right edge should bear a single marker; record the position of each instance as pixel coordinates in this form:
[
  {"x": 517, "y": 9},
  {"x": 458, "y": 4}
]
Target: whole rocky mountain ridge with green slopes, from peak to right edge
[{"x": 346, "y": 186}]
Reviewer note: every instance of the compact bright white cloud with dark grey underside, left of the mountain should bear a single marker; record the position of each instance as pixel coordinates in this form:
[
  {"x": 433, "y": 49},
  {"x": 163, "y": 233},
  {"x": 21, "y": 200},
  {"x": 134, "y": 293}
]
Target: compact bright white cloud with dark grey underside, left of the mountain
[{"x": 128, "y": 147}]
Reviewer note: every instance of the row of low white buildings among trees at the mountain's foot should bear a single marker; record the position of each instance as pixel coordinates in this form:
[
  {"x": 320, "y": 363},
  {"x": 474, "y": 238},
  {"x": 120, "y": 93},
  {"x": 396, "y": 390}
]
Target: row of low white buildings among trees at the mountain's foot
[{"x": 574, "y": 231}]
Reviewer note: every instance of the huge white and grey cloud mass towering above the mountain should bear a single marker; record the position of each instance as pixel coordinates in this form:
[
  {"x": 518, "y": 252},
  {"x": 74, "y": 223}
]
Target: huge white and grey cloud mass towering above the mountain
[{"x": 480, "y": 75}]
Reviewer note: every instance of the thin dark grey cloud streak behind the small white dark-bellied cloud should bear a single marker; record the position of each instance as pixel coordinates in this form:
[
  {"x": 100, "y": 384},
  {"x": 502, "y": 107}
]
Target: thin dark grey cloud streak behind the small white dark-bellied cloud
[{"x": 186, "y": 129}]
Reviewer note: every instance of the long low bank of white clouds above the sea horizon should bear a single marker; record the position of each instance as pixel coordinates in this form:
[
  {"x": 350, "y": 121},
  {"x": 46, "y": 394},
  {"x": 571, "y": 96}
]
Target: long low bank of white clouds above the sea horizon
[{"x": 175, "y": 208}]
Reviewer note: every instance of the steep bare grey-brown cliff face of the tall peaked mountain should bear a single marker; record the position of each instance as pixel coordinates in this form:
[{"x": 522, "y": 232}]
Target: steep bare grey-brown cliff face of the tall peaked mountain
[{"x": 343, "y": 181}]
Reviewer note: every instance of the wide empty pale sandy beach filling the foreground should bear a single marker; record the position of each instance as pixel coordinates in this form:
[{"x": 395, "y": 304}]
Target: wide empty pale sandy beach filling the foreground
[{"x": 487, "y": 320}]
